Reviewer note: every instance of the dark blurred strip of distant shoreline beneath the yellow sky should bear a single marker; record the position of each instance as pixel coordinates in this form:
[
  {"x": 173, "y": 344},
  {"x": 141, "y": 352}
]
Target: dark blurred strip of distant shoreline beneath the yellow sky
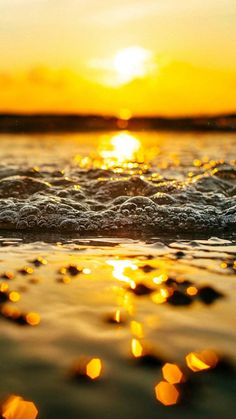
[{"x": 45, "y": 123}]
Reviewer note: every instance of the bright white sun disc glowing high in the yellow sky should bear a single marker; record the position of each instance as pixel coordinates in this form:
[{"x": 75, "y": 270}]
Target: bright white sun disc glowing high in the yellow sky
[{"x": 131, "y": 63}]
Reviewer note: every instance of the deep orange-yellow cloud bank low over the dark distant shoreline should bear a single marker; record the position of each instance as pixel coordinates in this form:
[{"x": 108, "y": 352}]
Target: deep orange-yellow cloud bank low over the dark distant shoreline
[{"x": 178, "y": 89}]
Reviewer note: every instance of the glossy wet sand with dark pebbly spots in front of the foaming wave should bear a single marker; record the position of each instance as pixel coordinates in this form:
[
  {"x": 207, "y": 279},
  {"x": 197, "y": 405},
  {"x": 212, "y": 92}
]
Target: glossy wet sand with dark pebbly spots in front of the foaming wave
[{"x": 85, "y": 298}]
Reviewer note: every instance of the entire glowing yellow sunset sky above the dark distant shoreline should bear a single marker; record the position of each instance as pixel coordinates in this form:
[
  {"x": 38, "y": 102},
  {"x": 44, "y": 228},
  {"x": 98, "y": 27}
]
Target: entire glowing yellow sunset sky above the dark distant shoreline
[{"x": 153, "y": 57}]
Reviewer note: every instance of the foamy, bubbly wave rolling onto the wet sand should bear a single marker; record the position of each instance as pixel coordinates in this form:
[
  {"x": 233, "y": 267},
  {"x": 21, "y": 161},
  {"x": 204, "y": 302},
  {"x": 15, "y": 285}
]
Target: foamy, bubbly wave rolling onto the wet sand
[{"x": 101, "y": 201}]
